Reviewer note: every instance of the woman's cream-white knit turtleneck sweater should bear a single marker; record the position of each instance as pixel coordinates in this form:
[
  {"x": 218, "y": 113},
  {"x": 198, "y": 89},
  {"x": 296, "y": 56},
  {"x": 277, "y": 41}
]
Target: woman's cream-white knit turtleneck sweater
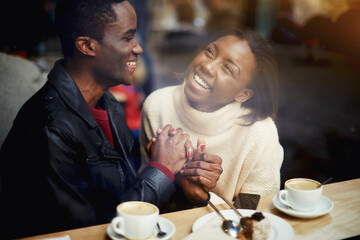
[{"x": 251, "y": 155}]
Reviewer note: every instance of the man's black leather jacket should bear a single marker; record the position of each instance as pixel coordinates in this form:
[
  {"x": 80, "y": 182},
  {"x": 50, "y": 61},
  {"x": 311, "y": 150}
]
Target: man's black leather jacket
[{"x": 58, "y": 169}]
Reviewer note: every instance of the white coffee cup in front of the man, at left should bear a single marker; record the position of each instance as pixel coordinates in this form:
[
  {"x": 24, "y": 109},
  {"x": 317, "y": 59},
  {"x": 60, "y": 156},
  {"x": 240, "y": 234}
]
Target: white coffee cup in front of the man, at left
[{"x": 135, "y": 219}]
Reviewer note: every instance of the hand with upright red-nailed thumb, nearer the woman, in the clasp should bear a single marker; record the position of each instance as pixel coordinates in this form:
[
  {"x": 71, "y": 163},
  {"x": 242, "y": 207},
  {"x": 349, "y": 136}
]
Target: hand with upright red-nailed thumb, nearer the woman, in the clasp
[{"x": 205, "y": 169}]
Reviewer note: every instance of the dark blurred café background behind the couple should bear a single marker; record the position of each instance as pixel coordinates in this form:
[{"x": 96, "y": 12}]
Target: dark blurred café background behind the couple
[{"x": 316, "y": 42}]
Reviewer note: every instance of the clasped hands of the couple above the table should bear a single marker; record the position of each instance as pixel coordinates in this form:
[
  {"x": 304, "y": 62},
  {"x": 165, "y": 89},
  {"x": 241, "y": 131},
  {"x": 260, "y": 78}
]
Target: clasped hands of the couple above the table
[{"x": 196, "y": 170}]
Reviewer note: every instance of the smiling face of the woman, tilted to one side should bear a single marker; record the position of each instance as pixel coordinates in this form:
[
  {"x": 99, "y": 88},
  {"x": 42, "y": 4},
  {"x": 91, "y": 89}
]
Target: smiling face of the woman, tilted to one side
[{"x": 220, "y": 74}]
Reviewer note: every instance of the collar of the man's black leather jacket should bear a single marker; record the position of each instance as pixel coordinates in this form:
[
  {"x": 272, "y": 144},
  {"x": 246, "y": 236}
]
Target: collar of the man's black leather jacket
[{"x": 71, "y": 95}]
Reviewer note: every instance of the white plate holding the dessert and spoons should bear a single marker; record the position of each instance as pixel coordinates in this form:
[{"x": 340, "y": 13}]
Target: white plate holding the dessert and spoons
[{"x": 280, "y": 229}]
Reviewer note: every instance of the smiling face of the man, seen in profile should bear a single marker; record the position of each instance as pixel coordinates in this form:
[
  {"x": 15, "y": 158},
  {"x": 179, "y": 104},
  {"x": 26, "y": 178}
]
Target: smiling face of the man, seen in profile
[{"x": 117, "y": 53}]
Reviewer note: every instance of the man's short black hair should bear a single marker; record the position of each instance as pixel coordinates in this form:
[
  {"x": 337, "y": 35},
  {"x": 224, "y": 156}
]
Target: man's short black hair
[{"x": 76, "y": 18}]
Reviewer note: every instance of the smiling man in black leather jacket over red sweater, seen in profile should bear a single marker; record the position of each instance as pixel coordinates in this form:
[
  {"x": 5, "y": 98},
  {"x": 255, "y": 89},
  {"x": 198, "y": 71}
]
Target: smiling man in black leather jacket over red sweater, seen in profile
[{"x": 66, "y": 162}]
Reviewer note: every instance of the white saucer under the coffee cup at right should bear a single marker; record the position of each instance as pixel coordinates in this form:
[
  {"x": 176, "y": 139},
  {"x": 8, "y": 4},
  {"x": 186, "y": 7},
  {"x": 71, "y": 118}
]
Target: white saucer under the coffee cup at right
[{"x": 325, "y": 205}]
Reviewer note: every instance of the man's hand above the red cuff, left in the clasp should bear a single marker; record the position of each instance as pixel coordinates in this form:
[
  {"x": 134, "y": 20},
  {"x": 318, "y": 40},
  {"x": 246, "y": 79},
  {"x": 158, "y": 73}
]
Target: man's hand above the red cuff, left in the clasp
[{"x": 170, "y": 148}]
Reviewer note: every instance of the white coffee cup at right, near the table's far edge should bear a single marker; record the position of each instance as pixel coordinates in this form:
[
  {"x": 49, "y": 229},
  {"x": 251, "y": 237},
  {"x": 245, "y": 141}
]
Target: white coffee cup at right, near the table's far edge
[{"x": 301, "y": 194}]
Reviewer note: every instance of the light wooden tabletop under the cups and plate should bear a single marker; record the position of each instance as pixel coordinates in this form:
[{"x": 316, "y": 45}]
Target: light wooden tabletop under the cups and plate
[{"x": 342, "y": 222}]
